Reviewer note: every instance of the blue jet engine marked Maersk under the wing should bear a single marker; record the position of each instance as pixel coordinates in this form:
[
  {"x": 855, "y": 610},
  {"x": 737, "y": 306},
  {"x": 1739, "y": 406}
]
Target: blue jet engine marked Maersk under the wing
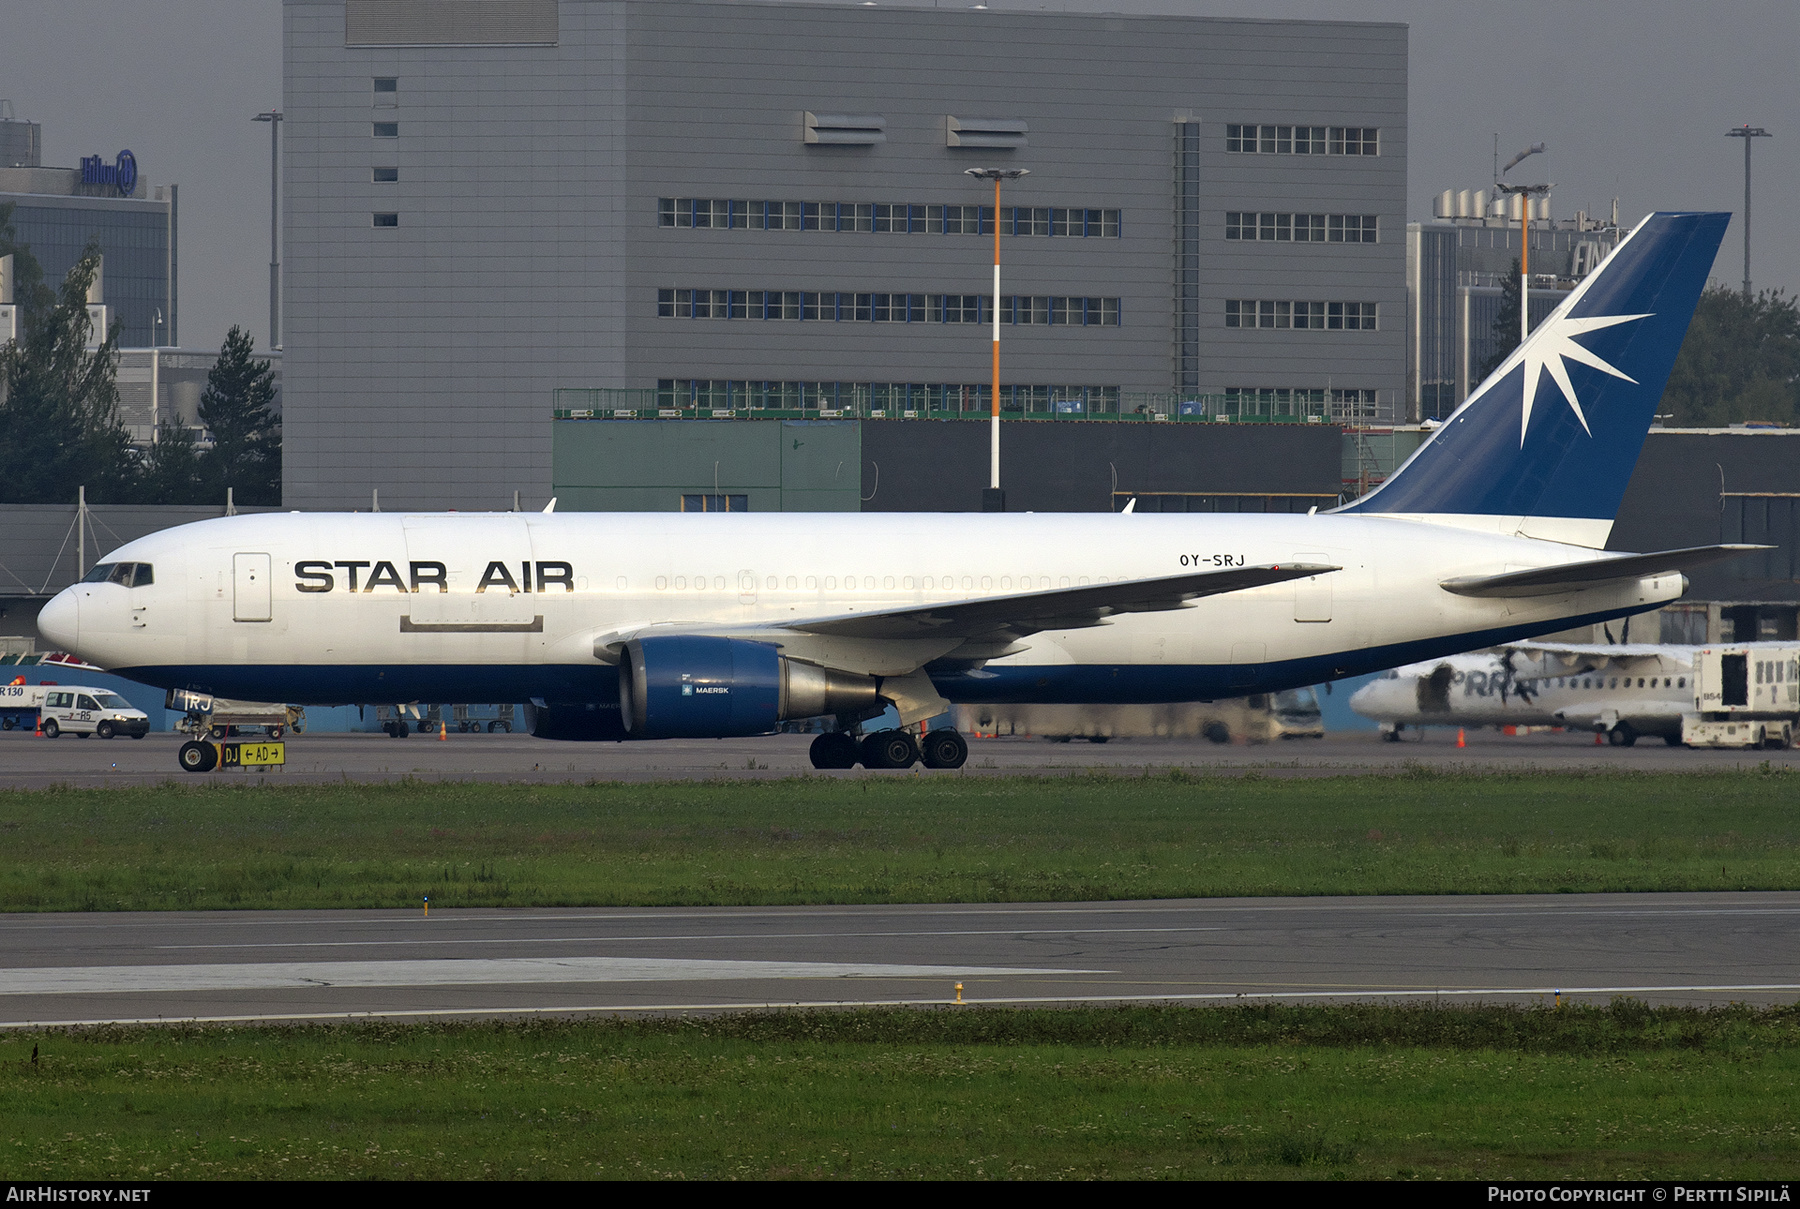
[{"x": 705, "y": 688}]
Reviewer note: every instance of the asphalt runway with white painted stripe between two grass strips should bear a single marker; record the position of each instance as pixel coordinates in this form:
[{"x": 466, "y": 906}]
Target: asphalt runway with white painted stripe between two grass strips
[{"x": 1686, "y": 949}]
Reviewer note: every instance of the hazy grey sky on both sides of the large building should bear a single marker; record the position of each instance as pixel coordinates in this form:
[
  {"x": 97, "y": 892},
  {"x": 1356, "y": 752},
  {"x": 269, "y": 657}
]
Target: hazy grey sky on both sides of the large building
[{"x": 1633, "y": 100}]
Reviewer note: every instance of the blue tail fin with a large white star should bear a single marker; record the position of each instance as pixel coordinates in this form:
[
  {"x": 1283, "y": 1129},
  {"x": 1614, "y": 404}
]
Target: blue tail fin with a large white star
[{"x": 1558, "y": 429}]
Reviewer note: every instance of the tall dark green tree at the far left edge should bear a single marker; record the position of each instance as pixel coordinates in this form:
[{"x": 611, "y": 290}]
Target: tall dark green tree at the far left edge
[{"x": 60, "y": 400}]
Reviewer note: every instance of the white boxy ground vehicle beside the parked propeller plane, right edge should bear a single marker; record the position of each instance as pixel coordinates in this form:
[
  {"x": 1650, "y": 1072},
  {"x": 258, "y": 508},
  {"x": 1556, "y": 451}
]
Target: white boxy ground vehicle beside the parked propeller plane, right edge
[{"x": 1745, "y": 695}]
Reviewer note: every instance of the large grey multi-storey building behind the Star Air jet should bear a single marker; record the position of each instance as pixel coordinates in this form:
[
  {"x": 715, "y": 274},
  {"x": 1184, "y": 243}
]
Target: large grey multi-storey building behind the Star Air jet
[{"x": 750, "y": 208}]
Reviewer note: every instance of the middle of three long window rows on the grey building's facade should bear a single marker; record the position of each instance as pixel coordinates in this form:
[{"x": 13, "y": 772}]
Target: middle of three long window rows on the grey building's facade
[{"x": 888, "y": 309}]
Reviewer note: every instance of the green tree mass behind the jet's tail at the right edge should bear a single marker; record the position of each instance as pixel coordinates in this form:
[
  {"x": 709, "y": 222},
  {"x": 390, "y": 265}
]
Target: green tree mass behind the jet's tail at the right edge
[{"x": 1740, "y": 361}]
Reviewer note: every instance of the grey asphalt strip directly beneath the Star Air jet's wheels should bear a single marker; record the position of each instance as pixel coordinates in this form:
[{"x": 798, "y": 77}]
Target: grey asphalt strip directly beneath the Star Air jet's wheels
[{"x": 30, "y": 762}]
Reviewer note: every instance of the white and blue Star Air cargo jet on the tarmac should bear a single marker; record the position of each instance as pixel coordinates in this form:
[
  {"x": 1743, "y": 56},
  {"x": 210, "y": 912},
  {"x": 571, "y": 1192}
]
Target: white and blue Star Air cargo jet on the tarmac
[{"x": 642, "y": 627}]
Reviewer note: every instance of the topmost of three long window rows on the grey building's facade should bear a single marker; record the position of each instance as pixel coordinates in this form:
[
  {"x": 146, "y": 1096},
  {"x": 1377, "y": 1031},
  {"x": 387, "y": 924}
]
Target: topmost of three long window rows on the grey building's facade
[{"x": 886, "y": 219}]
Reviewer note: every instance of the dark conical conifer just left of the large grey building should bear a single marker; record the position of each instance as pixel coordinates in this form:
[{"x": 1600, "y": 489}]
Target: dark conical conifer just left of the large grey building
[{"x": 246, "y": 431}]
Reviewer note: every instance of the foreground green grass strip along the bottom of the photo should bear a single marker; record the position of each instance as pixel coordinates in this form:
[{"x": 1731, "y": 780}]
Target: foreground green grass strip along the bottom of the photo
[{"x": 1135, "y": 1093}]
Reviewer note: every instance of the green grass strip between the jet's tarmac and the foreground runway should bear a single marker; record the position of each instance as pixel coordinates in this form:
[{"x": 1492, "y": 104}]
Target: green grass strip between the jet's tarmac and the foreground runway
[{"x": 903, "y": 839}]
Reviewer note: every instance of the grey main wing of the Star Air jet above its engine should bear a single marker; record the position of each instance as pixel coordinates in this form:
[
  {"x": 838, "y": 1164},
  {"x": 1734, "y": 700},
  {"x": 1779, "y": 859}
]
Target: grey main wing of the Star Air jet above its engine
[{"x": 1056, "y": 609}]
